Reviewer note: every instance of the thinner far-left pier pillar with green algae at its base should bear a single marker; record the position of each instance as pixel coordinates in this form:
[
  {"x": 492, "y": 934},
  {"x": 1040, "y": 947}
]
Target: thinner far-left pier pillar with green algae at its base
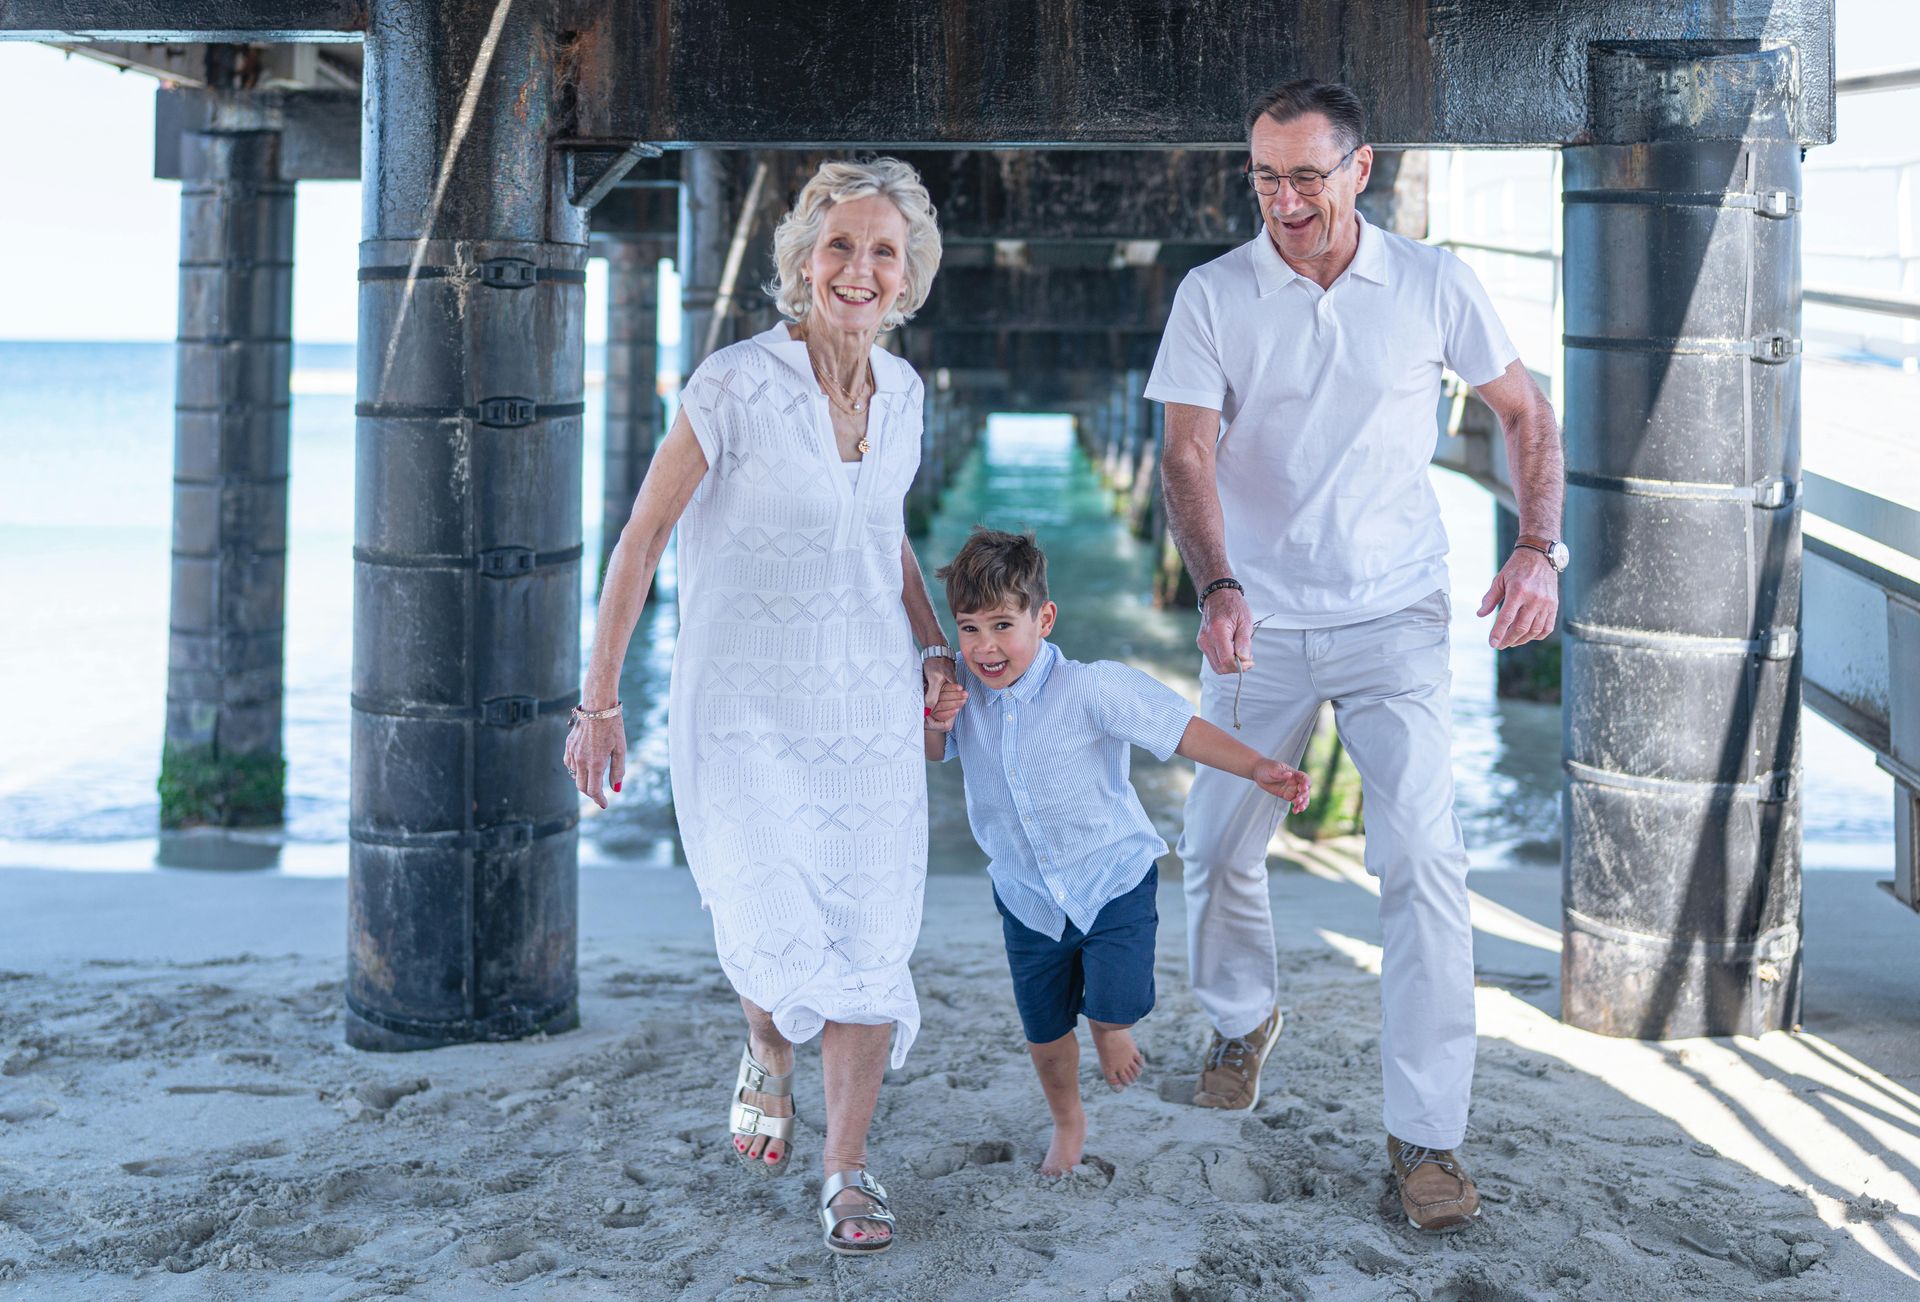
[{"x": 222, "y": 759}]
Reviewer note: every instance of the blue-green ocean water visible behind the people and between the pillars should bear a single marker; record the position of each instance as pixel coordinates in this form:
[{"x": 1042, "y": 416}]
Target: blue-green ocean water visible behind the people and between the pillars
[{"x": 85, "y": 508}]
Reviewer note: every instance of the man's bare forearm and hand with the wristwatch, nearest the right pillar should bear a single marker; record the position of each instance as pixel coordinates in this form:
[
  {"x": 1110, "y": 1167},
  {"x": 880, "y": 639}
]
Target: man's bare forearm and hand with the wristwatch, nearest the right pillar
[{"x": 1527, "y": 589}]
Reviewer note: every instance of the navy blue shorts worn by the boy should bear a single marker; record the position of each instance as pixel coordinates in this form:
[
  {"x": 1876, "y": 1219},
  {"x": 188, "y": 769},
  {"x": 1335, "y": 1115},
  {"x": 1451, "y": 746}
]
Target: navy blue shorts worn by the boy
[{"x": 1107, "y": 975}]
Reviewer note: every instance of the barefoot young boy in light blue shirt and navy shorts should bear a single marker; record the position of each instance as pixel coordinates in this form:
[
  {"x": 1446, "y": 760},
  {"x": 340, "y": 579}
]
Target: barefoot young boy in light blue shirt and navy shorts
[{"x": 1045, "y": 746}]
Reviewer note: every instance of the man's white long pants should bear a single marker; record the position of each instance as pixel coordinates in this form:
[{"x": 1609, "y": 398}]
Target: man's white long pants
[{"x": 1389, "y": 687}]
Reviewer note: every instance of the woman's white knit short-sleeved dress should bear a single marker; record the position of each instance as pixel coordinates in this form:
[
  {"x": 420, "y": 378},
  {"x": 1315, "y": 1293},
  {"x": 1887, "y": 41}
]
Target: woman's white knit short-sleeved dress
[{"x": 796, "y": 711}]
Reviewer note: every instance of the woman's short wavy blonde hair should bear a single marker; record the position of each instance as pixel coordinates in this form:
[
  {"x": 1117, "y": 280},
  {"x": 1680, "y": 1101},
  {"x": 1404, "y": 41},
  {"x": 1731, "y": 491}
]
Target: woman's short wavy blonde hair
[{"x": 836, "y": 183}]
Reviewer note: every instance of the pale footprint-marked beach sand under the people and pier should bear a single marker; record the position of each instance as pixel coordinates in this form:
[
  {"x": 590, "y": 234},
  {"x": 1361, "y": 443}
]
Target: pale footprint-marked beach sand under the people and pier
[{"x": 180, "y": 1119}]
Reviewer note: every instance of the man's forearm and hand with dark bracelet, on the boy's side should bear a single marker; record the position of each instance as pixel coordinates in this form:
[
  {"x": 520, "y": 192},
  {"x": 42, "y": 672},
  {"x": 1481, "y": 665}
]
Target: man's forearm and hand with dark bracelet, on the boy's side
[{"x": 1201, "y": 535}]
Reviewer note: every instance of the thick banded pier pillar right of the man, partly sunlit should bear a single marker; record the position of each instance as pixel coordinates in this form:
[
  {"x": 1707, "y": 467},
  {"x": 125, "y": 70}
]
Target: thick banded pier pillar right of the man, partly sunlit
[{"x": 1683, "y": 604}]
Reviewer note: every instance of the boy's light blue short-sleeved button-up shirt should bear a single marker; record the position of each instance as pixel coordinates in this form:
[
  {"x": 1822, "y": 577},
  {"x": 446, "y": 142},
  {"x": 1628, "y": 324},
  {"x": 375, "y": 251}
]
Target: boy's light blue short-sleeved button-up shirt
[{"x": 1047, "y": 783}]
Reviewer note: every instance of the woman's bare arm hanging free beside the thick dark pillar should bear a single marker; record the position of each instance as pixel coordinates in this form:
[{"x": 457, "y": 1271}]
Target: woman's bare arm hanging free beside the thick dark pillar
[{"x": 598, "y": 748}]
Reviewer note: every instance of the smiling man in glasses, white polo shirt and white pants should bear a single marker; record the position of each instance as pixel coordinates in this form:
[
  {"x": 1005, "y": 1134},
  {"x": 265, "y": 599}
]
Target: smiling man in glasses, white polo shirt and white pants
[{"x": 1301, "y": 377}]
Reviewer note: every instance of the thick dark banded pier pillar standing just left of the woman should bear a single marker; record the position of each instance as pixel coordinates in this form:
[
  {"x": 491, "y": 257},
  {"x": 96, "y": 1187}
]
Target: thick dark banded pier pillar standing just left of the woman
[{"x": 468, "y": 544}]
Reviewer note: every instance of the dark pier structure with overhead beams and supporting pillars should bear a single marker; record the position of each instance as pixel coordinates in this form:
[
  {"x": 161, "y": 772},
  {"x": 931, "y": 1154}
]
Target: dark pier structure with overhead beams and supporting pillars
[{"x": 1084, "y": 157}]
